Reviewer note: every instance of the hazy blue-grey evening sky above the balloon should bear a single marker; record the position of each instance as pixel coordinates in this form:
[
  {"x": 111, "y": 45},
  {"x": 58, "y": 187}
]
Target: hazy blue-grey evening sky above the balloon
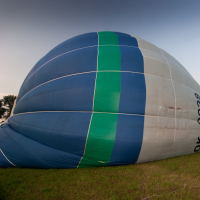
[{"x": 31, "y": 28}]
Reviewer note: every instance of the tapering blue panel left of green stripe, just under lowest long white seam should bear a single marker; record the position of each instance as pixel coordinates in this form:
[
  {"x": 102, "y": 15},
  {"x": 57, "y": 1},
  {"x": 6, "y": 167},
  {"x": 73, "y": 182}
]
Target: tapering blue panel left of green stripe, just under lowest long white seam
[{"x": 65, "y": 131}]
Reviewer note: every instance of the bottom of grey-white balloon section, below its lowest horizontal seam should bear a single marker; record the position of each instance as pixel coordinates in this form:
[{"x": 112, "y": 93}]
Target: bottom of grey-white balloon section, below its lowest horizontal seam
[{"x": 158, "y": 140}]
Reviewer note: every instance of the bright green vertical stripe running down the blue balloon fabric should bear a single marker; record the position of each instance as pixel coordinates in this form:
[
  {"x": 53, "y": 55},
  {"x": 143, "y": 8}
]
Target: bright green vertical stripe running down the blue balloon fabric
[{"x": 102, "y": 130}]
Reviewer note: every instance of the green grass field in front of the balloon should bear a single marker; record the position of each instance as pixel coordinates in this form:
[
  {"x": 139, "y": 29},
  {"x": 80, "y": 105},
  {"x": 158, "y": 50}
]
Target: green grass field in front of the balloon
[{"x": 122, "y": 182}]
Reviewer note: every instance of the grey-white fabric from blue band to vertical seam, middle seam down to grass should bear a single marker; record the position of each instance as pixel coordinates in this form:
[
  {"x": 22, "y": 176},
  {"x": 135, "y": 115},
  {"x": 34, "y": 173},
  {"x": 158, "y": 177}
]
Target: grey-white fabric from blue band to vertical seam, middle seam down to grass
[{"x": 158, "y": 135}]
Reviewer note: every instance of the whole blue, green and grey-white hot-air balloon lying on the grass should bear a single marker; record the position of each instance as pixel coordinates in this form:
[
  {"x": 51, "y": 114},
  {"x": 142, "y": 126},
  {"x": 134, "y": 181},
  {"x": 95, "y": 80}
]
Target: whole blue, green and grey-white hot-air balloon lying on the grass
[{"x": 102, "y": 99}]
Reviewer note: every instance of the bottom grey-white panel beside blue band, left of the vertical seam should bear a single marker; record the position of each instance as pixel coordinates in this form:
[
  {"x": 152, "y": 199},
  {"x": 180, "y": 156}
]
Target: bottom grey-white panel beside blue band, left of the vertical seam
[{"x": 157, "y": 139}]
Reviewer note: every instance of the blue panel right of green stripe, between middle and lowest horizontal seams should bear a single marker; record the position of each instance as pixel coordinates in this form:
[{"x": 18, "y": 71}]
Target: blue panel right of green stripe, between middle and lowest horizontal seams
[{"x": 133, "y": 93}]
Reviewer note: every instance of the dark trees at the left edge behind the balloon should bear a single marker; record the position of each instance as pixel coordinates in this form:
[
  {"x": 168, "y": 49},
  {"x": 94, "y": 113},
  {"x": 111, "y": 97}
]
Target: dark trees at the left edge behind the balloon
[{"x": 6, "y": 105}]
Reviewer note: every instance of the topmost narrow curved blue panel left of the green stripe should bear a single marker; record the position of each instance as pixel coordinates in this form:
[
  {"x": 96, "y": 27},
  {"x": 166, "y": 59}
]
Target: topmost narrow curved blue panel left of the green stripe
[{"x": 80, "y": 41}]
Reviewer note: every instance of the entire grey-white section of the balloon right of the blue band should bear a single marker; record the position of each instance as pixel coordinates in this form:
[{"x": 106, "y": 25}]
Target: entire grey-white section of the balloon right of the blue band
[{"x": 171, "y": 112}]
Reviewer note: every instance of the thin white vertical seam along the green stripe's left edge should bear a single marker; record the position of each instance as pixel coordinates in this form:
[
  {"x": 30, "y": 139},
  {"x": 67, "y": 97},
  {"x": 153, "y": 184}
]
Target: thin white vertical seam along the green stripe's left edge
[{"x": 92, "y": 104}]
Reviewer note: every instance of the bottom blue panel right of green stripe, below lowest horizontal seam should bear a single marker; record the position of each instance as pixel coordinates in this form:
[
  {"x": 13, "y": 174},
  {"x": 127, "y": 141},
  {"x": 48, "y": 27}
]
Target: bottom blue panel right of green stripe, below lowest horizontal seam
[{"x": 128, "y": 140}]
